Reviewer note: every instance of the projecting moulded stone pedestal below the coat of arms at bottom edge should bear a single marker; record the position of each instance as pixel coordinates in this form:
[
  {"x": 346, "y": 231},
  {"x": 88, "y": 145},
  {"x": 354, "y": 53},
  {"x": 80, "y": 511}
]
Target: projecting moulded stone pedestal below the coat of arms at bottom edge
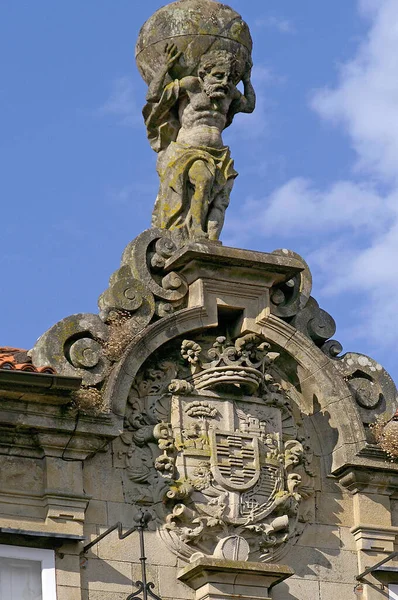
[{"x": 215, "y": 579}]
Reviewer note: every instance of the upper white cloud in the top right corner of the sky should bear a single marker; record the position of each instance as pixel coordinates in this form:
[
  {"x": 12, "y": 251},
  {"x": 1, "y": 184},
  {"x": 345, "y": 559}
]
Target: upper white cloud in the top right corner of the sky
[{"x": 366, "y": 100}]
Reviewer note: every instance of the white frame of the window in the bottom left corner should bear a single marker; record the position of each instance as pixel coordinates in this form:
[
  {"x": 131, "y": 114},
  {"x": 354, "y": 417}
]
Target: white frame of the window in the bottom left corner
[{"x": 47, "y": 560}]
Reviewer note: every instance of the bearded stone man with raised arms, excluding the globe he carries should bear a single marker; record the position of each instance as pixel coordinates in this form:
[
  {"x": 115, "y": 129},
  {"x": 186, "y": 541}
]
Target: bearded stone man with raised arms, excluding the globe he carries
[{"x": 185, "y": 120}]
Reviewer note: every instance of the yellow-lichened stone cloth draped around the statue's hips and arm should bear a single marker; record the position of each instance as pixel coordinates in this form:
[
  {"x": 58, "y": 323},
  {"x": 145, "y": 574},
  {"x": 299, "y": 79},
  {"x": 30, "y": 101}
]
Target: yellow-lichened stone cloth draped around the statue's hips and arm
[{"x": 172, "y": 206}]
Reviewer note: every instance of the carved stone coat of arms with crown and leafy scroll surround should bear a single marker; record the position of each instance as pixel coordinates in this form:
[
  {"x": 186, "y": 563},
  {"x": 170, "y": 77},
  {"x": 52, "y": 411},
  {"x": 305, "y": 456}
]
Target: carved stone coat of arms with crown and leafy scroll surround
[{"x": 211, "y": 444}]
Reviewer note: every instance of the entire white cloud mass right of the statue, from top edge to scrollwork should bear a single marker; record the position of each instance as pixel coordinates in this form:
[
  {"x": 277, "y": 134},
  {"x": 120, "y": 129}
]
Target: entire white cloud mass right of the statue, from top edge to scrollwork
[{"x": 351, "y": 227}]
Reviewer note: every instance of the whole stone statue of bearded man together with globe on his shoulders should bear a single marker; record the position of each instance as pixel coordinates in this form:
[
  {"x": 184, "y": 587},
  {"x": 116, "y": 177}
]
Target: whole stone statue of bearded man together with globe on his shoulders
[{"x": 186, "y": 112}]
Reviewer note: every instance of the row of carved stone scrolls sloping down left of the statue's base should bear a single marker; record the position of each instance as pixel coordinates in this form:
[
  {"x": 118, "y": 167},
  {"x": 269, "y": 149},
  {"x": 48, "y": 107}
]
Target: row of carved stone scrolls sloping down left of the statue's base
[{"x": 139, "y": 292}]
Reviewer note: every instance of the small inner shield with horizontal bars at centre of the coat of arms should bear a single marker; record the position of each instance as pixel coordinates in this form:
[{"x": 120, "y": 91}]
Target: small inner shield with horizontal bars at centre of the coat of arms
[{"x": 235, "y": 462}]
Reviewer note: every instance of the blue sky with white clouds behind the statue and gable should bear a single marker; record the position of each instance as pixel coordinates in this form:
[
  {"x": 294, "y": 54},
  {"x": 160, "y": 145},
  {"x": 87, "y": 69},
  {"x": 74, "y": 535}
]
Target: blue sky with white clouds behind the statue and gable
[{"x": 318, "y": 160}]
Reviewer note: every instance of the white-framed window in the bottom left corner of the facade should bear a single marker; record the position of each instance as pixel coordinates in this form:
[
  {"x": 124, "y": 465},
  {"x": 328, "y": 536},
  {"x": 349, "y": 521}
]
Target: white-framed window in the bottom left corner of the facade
[{"x": 27, "y": 573}]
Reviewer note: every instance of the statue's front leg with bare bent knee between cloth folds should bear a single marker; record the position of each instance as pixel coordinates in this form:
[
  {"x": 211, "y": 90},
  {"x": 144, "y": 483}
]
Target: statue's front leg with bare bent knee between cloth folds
[{"x": 202, "y": 180}]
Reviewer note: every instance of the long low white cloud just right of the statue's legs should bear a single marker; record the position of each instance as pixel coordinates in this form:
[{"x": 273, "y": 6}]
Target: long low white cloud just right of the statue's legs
[{"x": 298, "y": 209}]
